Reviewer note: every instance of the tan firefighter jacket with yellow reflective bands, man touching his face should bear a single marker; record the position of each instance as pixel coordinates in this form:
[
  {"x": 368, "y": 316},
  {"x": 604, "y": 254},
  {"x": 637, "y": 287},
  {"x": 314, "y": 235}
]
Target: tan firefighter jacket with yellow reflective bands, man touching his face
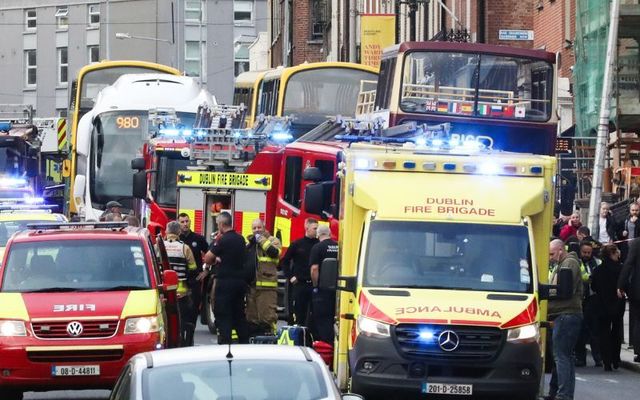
[{"x": 263, "y": 259}]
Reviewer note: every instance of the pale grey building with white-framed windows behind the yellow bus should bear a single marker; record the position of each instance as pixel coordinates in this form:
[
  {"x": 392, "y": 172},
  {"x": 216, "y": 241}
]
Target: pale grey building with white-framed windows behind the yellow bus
[{"x": 46, "y": 42}]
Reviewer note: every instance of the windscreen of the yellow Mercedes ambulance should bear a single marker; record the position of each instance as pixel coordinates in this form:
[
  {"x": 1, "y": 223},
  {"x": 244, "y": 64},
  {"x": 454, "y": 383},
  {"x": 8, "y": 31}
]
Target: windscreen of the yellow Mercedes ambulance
[{"x": 460, "y": 256}]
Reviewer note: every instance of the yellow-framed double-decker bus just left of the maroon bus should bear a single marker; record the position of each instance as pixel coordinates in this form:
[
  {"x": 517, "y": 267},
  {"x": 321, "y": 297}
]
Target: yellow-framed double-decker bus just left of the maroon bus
[{"x": 309, "y": 93}]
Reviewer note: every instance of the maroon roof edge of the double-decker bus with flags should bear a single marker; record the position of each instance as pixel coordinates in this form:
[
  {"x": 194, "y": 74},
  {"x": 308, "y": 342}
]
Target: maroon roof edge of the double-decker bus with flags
[{"x": 469, "y": 48}]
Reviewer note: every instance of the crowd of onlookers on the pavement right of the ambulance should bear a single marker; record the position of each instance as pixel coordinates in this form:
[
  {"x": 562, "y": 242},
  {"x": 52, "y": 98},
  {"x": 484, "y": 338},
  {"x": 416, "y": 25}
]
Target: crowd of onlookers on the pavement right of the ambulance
[{"x": 606, "y": 273}]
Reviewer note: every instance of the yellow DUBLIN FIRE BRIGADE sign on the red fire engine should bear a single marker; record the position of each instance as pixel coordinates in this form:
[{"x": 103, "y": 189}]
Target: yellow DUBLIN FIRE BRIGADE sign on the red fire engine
[{"x": 229, "y": 180}]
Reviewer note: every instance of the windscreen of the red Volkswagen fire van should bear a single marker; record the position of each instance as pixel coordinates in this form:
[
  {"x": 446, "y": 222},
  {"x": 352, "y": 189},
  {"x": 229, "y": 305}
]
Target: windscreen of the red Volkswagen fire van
[{"x": 75, "y": 265}]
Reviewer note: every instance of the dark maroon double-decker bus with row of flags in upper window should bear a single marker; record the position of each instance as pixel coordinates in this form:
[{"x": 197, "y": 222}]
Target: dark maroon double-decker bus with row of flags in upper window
[{"x": 504, "y": 93}]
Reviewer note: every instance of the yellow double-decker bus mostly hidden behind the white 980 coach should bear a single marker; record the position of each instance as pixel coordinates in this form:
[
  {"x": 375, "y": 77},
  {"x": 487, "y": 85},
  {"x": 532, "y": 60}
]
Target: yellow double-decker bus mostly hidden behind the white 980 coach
[{"x": 90, "y": 80}]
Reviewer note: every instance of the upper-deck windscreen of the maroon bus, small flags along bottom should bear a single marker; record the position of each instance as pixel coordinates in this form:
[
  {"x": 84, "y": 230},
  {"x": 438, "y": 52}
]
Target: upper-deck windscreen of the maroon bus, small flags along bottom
[{"x": 478, "y": 85}]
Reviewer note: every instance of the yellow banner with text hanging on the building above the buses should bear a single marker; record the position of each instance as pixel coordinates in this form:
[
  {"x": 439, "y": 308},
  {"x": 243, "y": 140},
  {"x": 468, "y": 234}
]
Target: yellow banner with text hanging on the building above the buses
[{"x": 377, "y": 32}]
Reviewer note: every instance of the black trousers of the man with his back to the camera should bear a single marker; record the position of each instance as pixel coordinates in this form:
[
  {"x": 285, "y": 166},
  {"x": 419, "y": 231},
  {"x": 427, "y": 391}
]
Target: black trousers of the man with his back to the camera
[{"x": 228, "y": 309}]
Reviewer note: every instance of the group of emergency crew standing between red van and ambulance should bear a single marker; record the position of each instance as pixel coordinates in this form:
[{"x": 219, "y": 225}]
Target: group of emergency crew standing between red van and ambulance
[{"x": 245, "y": 278}]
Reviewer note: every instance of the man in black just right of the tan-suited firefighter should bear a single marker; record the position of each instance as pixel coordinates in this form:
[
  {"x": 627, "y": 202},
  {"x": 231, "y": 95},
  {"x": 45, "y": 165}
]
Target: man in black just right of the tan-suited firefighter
[{"x": 295, "y": 265}]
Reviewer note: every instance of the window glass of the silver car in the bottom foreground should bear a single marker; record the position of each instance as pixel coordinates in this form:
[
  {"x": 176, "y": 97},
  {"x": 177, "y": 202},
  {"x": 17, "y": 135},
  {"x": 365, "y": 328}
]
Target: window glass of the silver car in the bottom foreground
[{"x": 238, "y": 379}]
